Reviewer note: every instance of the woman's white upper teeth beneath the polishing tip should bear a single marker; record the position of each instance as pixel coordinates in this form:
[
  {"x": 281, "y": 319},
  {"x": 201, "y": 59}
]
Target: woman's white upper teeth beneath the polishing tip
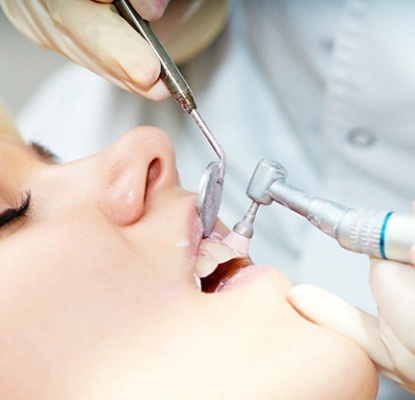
[{"x": 212, "y": 253}]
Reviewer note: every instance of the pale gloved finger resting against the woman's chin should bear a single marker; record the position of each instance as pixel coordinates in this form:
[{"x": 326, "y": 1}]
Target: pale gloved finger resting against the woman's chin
[{"x": 330, "y": 311}]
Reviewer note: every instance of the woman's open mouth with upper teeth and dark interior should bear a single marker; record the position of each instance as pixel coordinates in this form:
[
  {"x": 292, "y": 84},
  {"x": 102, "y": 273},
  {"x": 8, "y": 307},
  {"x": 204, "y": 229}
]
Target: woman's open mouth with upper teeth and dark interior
[{"x": 216, "y": 263}]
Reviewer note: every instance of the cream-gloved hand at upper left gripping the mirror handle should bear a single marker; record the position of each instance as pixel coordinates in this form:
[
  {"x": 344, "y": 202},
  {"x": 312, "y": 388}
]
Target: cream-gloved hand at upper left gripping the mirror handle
[{"x": 90, "y": 33}]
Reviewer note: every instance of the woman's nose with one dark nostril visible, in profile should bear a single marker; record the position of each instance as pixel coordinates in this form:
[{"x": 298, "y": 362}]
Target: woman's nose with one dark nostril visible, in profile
[{"x": 133, "y": 170}]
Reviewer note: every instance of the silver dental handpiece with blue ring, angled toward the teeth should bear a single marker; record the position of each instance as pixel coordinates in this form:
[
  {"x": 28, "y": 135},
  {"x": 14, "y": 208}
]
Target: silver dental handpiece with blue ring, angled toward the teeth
[{"x": 382, "y": 234}]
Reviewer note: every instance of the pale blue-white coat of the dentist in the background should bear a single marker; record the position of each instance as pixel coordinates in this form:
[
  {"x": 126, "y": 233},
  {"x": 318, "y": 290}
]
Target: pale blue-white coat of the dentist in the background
[{"x": 325, "y": 88}]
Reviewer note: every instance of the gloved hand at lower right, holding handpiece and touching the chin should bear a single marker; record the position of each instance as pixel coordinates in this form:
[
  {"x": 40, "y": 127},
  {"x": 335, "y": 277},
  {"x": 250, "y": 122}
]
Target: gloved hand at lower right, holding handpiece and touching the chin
[{"x": 389, "y": 340}]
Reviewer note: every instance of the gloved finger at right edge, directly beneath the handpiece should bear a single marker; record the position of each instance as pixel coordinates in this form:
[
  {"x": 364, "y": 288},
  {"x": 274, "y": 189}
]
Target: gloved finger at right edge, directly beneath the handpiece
[{"x": 393, "y": 286}]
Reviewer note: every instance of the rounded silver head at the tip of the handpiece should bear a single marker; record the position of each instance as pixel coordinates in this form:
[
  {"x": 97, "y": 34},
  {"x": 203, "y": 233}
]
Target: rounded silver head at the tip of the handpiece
[{"x": 266, "y": 173}]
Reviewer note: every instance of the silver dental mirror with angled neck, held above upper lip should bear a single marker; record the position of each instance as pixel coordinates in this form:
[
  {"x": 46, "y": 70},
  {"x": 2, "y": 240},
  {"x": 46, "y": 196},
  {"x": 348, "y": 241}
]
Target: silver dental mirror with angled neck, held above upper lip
[{"x": 211, "y": 184}]
